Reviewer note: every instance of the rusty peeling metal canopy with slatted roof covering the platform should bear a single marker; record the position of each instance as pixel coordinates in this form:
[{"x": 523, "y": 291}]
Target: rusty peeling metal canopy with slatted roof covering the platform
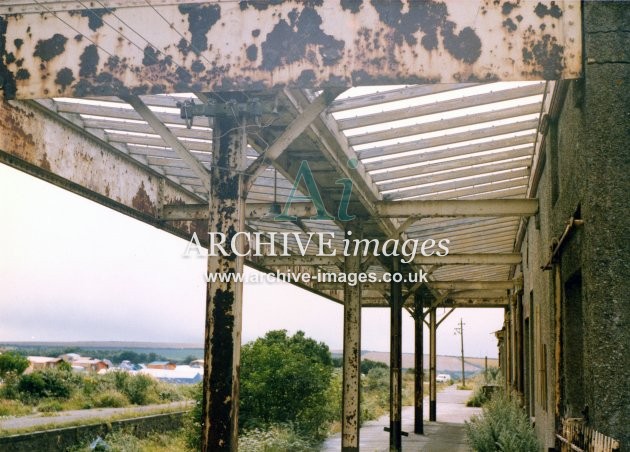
[{"x": 432, "y": 142}]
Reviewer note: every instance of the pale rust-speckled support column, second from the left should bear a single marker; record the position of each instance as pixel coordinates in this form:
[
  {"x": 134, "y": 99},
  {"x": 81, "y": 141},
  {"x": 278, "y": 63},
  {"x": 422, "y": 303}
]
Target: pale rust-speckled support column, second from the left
[{"x": 350, "y": 421}]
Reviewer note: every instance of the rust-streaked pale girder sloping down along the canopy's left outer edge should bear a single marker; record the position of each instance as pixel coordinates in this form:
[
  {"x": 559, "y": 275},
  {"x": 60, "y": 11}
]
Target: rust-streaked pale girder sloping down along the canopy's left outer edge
[{"x": 87, "y": 166}]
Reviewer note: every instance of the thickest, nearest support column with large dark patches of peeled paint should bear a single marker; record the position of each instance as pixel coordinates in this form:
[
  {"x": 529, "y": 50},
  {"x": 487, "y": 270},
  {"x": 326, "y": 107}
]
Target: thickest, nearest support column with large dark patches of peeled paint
[{"x": 219, "y": 423}]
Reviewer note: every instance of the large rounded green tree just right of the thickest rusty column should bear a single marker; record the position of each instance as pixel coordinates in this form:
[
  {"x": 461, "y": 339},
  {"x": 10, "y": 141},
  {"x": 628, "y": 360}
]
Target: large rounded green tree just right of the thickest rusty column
[{"x": 286, "y": 379}]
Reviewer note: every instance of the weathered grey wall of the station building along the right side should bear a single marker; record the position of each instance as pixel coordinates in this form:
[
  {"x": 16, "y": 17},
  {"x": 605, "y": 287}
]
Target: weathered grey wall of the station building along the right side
[{"x": 587, "y": 173}]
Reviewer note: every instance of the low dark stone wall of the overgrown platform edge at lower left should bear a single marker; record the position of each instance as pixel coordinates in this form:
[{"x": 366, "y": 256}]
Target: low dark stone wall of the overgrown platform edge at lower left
[{"x": 63, "y": 438}]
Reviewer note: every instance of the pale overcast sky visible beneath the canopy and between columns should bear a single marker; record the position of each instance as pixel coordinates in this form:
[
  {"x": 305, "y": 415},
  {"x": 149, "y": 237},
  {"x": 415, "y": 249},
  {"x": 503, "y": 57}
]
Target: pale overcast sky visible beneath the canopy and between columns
[{"x": 73, "y": 270}]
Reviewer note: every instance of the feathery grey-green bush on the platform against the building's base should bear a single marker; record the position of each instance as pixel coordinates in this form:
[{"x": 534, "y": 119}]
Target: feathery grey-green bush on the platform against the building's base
[{"x": 502, "y": 426}]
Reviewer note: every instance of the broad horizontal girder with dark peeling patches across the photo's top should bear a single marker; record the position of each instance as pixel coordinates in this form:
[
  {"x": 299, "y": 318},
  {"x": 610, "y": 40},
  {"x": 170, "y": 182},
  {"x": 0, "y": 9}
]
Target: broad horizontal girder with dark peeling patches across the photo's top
[{"x": 57, "y": 48}]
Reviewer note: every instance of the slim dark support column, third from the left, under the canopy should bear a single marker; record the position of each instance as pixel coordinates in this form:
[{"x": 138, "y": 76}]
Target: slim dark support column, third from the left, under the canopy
[{"x": 395, "y": 380}]
